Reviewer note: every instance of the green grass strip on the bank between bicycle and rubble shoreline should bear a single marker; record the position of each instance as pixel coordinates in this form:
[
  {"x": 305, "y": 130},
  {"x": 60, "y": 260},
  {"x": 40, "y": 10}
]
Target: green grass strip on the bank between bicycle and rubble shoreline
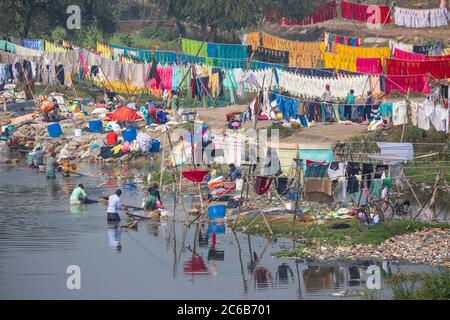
[{"x": 324, "y": 234}]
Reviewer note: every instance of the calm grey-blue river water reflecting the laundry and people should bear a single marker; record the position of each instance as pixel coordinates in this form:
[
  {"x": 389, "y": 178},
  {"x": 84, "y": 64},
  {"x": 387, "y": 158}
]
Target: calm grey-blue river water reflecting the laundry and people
[{"x": 41, "y": 235}]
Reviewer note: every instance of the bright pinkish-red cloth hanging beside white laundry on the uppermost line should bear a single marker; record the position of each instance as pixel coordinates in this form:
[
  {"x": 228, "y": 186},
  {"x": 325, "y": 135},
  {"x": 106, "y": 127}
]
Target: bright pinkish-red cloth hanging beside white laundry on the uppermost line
[{"x": 364, "y": 12}]
